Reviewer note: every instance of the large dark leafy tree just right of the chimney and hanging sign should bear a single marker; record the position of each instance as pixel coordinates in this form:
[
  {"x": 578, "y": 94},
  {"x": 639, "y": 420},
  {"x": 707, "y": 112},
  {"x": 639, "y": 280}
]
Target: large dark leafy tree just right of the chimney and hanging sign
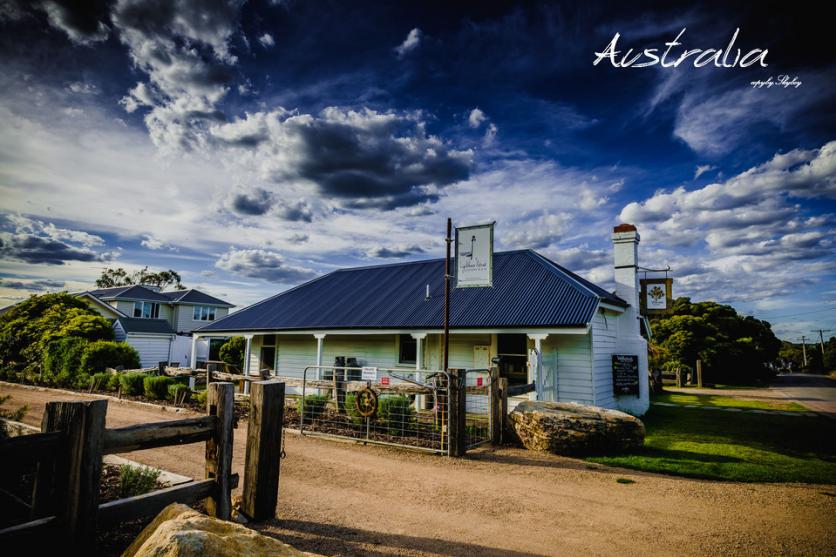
[{"x": 733, "y": 348}]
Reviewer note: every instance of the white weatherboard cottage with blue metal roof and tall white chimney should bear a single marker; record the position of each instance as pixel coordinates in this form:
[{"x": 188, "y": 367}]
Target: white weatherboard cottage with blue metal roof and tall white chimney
[{"x": 545, "y": 324}]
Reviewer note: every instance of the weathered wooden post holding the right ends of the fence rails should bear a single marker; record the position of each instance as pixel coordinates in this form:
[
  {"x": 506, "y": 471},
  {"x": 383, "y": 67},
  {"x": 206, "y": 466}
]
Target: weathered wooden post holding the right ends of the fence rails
[{"x": 219, "y": 401}]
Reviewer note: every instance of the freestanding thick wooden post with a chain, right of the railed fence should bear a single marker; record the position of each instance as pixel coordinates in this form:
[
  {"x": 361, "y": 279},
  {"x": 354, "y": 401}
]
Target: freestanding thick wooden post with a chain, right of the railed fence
[{"x": 264, "y": 447}]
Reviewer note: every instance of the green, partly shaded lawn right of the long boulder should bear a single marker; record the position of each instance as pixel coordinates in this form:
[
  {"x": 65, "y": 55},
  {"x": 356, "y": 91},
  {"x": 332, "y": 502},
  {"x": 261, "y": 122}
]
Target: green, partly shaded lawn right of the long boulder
[{"x": 734, "y": 446}]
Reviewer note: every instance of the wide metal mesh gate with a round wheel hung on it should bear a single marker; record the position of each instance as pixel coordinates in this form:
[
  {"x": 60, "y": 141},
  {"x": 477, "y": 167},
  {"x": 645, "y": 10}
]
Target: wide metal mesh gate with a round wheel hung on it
[{"x": 383, "y": 406}]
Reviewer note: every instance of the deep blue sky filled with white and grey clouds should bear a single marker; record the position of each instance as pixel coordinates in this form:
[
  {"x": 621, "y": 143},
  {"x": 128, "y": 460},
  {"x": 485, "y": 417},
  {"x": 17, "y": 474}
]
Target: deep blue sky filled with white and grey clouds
[{"x": 254, "y": 145}]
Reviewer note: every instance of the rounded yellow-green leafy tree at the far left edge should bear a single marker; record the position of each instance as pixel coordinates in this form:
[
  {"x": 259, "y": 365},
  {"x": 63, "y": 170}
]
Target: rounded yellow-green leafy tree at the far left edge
[{"x": 27, "y": 328}]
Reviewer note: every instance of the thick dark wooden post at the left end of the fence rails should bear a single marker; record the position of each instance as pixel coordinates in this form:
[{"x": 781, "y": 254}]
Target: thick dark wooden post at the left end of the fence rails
[{"x": 69, "y": 486}]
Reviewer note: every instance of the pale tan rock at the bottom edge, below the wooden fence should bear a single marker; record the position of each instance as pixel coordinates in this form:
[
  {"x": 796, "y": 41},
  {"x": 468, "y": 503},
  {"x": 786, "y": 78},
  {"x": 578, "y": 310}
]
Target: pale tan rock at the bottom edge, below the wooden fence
[{"x": 179, "y": 531}]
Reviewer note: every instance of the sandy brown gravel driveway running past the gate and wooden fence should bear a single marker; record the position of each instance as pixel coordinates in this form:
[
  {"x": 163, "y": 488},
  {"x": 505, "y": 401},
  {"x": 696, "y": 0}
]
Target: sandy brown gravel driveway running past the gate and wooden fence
[{"x": 347, "y": 499}]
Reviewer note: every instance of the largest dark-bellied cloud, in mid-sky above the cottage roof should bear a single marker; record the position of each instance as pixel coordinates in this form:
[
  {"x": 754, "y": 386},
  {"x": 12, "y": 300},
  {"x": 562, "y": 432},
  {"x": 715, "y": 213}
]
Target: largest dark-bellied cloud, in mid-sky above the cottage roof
[{"x": 363, "y": 159}]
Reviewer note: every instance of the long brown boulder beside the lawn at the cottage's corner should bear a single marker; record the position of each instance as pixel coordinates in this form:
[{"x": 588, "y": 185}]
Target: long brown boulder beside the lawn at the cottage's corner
[{"x": 570, "y": 428}]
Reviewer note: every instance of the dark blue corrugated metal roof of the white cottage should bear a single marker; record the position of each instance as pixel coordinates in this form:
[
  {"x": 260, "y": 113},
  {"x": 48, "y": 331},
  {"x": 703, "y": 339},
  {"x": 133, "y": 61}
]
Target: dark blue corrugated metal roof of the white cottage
[{"x": 529, "y": 291}]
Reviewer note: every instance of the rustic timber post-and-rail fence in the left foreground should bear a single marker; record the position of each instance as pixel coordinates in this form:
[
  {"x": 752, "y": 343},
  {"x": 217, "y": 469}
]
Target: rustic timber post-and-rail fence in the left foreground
[{"x": 65, "y": 500}]
